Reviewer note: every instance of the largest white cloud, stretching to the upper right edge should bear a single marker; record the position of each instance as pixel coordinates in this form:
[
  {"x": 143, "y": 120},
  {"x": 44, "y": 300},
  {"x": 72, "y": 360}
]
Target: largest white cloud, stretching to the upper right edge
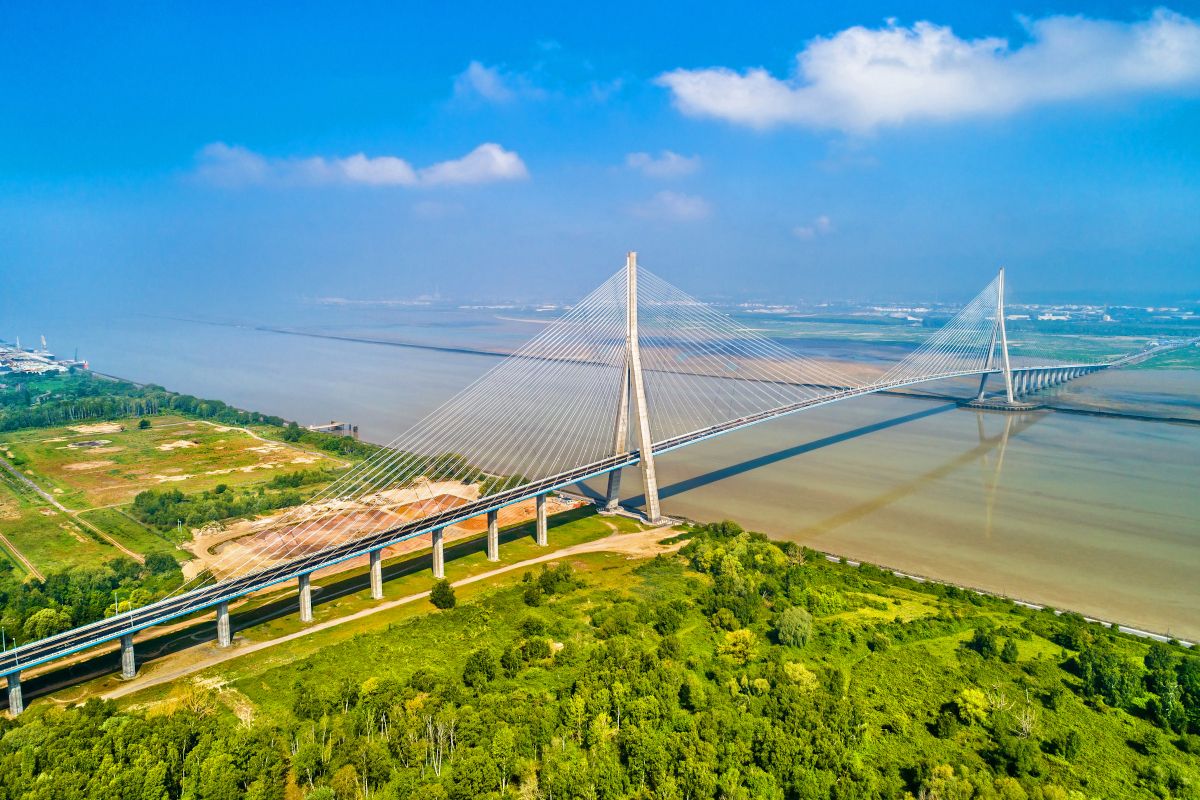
[{"x": 860, "y": 80}]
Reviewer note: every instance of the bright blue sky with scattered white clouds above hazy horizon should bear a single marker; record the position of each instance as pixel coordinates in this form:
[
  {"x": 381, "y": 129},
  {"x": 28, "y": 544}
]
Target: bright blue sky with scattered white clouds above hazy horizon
[{"x": 211, "y": 159}]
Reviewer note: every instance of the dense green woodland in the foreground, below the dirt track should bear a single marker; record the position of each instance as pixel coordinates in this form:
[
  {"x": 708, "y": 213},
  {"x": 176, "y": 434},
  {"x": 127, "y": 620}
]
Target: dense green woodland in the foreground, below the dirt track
[{"x": 739, "y": 669}]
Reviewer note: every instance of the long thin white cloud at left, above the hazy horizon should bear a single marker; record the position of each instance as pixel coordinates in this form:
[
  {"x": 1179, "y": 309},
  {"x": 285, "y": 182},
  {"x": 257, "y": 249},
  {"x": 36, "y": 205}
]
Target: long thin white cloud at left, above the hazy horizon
[{"x": 236, "y": 166}]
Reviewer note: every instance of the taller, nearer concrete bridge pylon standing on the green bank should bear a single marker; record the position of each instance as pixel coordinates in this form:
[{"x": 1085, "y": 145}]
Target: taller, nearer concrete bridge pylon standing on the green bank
[{"x": 632, "y": 404}]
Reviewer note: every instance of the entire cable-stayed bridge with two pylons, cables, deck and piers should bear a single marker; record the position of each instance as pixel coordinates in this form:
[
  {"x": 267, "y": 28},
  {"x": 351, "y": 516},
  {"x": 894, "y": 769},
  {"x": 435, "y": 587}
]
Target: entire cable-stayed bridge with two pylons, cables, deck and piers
[{"x": 635, "y": 370}]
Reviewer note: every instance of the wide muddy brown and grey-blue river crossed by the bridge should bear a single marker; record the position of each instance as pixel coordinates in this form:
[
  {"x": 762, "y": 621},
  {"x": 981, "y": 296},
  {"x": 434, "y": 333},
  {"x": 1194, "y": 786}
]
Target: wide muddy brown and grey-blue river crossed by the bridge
[{"x": 1094, "y": 514}]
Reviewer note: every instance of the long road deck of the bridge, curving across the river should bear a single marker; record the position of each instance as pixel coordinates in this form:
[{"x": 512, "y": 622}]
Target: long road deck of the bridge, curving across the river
[{"x": 164, "y": 611}]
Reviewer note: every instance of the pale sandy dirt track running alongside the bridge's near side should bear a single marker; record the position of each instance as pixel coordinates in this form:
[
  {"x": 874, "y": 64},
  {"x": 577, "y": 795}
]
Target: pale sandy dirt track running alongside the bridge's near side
[{"x": 637, "y": 546}]
